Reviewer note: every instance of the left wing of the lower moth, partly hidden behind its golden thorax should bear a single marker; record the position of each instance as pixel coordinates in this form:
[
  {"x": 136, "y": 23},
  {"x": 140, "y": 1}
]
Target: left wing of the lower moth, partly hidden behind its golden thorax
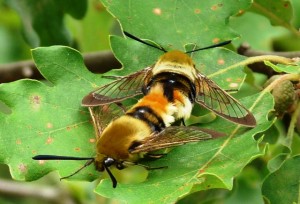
[{"x": 103, "y": 115}]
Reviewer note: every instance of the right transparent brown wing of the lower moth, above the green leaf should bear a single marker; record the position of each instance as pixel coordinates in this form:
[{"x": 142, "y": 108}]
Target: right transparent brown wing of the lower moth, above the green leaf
[{"x": 175, "y": 136}]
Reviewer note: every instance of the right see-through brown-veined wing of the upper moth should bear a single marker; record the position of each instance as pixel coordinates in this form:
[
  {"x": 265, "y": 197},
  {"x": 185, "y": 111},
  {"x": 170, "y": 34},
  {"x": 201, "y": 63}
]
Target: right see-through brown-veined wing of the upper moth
[{"x": 211, "y": 96}]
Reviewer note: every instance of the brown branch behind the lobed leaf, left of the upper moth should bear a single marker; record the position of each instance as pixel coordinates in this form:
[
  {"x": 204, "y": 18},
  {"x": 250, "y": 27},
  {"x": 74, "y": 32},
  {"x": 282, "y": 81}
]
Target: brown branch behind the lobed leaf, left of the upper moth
[{"x": 98, "y": 62}]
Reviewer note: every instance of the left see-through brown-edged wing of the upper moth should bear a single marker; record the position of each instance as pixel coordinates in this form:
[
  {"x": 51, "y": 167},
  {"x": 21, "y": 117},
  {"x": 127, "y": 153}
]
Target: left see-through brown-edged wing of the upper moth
[{"x": 118, "y": 90}]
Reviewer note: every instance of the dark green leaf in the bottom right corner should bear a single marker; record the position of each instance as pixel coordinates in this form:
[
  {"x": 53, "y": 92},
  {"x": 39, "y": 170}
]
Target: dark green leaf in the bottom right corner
[{"x": 282, "y": 186}]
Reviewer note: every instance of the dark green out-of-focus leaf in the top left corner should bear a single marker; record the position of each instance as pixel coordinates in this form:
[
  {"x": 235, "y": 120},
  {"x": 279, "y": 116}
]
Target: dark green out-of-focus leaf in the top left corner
[{"x": 43, "y": 20}]
